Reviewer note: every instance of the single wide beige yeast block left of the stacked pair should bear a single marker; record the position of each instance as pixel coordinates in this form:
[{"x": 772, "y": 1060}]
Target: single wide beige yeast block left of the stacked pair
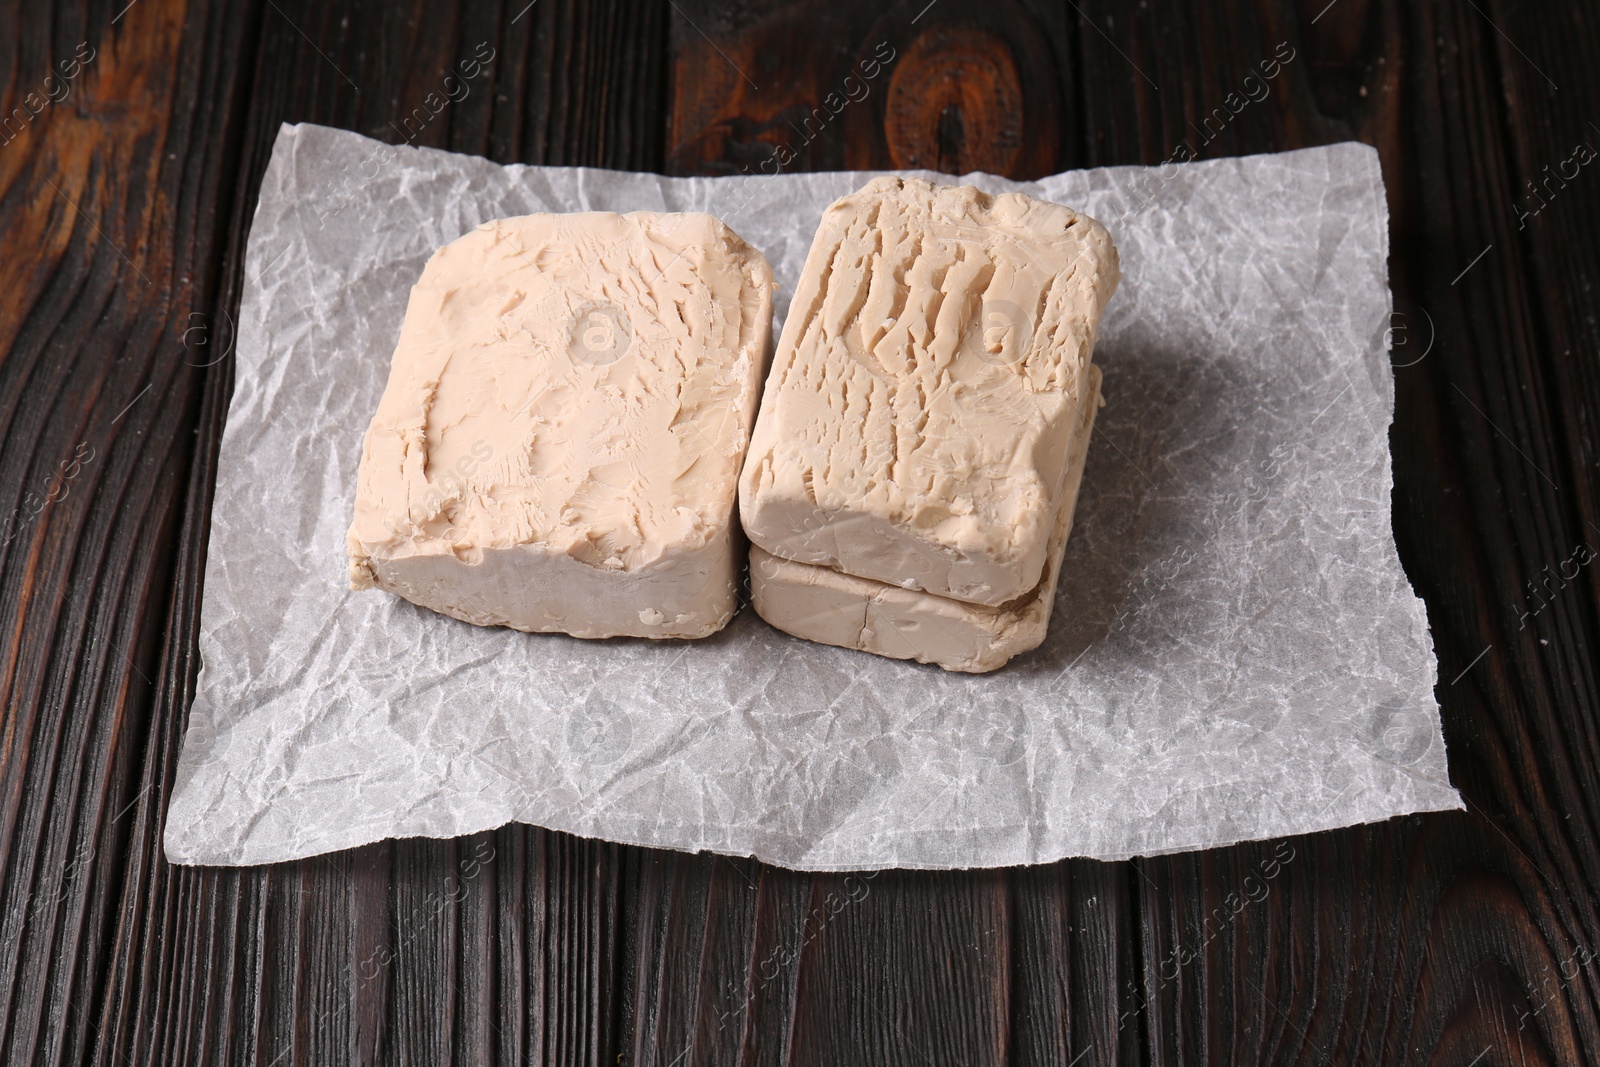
[{"x": 559, "y": 444}]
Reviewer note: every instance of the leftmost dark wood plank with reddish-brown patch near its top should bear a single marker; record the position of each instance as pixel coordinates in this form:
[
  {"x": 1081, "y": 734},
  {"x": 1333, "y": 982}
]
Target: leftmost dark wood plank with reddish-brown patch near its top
[{"x": 110, "y": 242}]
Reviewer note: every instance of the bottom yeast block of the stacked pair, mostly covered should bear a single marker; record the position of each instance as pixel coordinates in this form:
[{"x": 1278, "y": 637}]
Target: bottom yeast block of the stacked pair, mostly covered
[{"x": 825, "y": 605}]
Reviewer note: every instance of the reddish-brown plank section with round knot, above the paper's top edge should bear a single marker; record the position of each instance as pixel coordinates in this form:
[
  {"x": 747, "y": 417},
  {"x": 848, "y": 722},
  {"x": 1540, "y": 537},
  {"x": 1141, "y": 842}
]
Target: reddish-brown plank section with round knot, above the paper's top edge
[{"x": 818, "y": 86}]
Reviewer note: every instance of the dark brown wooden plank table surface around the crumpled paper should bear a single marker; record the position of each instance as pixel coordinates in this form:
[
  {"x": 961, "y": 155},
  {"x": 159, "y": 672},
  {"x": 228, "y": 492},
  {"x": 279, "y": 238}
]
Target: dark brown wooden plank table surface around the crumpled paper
[{"x": 127, "y": 188}]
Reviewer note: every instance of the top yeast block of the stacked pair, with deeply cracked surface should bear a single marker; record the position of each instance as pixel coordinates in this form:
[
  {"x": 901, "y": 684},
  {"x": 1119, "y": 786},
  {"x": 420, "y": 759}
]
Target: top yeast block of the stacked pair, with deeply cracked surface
[{"x": 914, "y": 426}]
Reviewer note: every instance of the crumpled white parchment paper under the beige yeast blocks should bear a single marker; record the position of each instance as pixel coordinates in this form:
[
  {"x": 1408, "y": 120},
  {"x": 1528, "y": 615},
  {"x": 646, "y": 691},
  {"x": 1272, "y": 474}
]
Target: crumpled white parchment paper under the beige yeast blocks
[{"x": 1236, "y": 652}]
